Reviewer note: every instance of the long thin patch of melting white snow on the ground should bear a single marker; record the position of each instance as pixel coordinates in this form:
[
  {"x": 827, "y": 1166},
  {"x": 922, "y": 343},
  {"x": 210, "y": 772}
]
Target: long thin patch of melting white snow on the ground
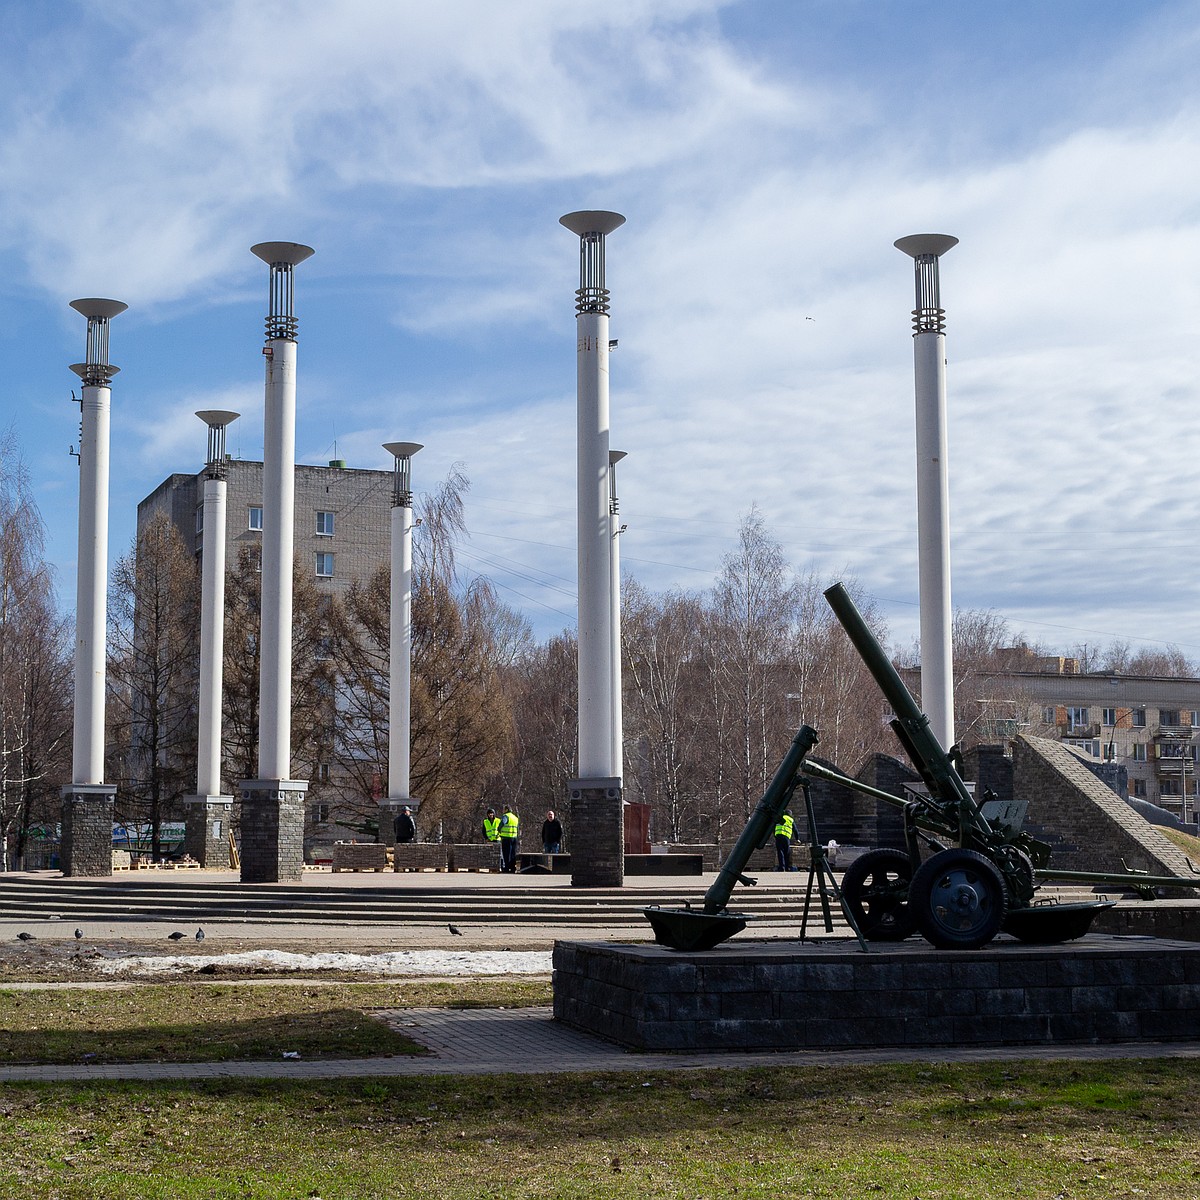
[{"x": 397, "y": 963}]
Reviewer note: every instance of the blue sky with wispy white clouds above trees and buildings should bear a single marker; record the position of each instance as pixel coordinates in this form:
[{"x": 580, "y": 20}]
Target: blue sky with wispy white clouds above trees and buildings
[{"x": 766, "y": 154}]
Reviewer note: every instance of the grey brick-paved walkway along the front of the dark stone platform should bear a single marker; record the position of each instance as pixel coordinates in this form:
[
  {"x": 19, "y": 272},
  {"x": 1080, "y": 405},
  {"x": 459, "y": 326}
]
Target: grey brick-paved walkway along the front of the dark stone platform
[{"x": 467, "y": 1042}]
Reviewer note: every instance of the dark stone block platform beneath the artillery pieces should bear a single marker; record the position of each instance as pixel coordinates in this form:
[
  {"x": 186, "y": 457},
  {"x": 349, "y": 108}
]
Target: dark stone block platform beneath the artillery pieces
[{"x": 806, "y": 995}]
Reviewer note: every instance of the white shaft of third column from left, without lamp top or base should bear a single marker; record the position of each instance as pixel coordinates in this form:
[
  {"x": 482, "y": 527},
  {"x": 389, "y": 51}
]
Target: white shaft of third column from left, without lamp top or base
[{"x": 279, "y": 521}]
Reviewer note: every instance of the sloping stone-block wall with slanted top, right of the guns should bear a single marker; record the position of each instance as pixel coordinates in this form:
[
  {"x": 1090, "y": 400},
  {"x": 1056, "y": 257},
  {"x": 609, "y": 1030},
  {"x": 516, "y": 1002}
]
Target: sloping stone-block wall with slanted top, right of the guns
[{"x": 1088, "y": 825}]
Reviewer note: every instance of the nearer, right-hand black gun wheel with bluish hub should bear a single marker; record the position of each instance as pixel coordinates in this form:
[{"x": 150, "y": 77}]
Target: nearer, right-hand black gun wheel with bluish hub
[{"x": 959, "y": 901}]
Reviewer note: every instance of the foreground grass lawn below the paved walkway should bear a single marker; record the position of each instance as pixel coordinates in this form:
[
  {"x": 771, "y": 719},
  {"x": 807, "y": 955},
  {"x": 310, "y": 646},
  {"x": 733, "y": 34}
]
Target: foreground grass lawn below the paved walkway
[{"x": 1049, "y": 1131}]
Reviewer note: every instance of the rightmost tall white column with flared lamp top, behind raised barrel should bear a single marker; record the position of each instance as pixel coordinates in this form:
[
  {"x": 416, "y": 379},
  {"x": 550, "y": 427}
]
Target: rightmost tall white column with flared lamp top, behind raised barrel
[{"x": 933, "y": 487}]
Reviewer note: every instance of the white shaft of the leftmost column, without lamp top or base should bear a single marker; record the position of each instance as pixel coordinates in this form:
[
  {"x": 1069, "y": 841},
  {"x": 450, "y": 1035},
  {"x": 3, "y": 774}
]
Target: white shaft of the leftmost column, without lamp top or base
[{"x": 92, "y": 596}]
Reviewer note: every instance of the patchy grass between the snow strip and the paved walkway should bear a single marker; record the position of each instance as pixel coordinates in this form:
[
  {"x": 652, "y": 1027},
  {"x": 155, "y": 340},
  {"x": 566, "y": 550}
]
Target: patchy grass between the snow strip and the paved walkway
[{"x": 215, "y": 1023}]
